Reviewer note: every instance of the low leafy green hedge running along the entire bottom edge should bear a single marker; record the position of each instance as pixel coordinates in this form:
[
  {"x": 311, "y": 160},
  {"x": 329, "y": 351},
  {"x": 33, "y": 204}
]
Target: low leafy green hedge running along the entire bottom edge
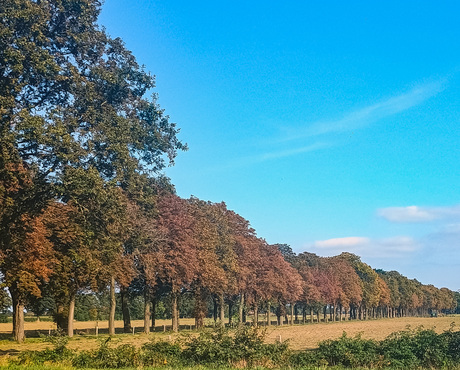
[{"x": 409, "y": 349}]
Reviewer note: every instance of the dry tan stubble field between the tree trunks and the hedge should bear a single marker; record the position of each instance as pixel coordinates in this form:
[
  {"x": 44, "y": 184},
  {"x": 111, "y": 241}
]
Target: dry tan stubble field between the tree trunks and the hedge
[{"x": 300, "y": 336}]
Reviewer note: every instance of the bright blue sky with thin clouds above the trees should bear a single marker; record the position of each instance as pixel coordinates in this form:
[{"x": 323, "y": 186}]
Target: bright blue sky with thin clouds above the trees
[{"x": 329, "y": 125}]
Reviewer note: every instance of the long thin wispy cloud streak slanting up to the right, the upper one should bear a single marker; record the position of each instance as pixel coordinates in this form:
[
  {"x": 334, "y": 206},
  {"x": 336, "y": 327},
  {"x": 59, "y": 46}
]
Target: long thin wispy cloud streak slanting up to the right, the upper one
[{"x": 363, "y": 117}]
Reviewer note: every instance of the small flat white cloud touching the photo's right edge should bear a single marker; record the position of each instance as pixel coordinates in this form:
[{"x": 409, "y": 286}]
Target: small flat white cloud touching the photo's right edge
[{"x": 418, "y": 214}]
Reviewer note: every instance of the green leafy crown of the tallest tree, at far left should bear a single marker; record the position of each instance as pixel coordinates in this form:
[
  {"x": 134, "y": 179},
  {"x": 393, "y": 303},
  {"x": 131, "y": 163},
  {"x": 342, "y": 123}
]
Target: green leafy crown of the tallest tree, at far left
[{"x": 70, "y": 97}]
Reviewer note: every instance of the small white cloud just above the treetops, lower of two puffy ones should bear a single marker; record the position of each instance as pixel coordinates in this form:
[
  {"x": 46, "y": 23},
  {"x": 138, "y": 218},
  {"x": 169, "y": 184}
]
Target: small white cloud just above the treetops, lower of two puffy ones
[{"x": 367, "y": 247}]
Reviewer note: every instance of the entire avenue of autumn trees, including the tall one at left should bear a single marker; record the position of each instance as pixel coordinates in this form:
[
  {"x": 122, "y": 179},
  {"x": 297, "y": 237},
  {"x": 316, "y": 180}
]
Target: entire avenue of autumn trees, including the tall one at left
[{"x": 84, "y": 207}]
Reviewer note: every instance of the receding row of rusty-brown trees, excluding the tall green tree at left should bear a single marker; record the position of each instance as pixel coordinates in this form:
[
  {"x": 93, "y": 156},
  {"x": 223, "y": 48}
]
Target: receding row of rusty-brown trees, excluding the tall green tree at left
[{"x": 165, "y": 246}]
